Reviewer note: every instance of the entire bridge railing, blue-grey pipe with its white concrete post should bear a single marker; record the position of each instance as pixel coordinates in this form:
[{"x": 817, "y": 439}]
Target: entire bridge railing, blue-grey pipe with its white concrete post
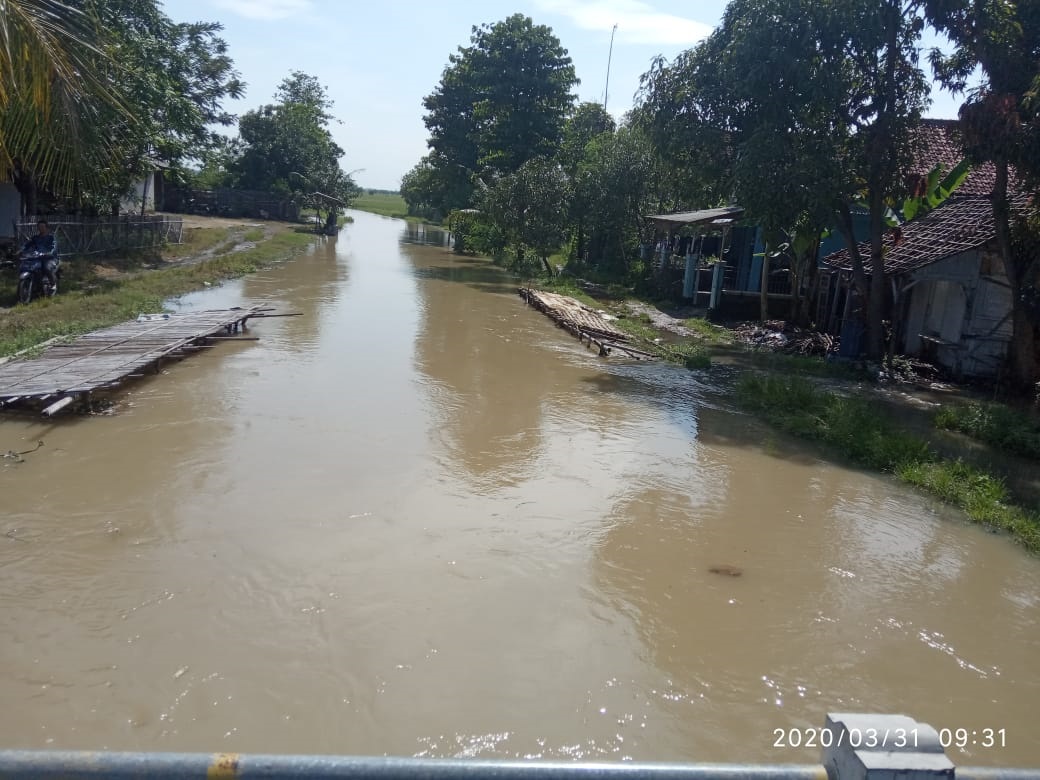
[{"x": 922, "y": 759}]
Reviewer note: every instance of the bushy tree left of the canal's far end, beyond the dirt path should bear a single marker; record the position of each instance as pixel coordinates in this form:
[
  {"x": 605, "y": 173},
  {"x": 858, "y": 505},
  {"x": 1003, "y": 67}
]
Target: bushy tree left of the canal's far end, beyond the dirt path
[{"x": 287, "y": 148}]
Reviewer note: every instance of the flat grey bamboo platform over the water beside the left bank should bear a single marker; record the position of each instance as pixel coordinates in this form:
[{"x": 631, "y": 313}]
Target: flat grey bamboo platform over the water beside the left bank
[{"x": 70, "y": 374}]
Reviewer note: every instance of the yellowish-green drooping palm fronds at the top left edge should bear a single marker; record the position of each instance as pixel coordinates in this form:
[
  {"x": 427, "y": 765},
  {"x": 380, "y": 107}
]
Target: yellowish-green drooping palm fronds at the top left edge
[{"x": 53, "y": 99}]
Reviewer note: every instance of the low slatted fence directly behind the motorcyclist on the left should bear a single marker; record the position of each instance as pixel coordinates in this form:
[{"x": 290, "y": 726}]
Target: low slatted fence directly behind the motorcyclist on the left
[{"x": 80, "y": 237}]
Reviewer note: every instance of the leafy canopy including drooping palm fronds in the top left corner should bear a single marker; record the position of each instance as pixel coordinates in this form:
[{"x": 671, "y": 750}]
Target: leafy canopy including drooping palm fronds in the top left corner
[{"x": 93, "y": 93}]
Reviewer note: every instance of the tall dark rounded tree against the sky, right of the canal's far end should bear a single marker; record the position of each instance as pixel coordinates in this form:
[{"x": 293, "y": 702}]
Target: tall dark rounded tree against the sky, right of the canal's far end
[{"x": 501, "y": 101}]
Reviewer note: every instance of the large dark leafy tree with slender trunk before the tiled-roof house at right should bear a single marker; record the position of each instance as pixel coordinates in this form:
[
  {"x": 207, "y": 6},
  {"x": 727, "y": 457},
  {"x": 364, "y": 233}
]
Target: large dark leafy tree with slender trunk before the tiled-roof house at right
[{"x": 842, "y": 75}]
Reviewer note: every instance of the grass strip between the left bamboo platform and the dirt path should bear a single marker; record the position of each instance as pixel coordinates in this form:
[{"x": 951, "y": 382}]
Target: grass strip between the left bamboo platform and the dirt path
[{"x": 100, "y": 302}]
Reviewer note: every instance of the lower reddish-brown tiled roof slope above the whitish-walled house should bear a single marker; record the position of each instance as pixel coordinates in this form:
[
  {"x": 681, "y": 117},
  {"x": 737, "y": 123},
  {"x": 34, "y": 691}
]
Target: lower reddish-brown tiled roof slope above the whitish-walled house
[{"x": 964, "y": 223}]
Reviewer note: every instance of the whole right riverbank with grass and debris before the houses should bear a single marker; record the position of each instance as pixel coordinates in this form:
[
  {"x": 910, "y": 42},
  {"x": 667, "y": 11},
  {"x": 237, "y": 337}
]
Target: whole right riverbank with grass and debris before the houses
[{"x": 846, "y": 412}]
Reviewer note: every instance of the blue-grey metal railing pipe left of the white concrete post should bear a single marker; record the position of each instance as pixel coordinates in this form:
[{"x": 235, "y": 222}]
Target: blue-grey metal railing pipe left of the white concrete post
[{"x": 74, "y": 766}]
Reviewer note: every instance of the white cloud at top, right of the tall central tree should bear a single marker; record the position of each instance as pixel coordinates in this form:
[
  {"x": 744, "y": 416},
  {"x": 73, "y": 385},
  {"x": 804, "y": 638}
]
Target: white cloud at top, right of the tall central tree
[{"x": 638, "y": 22}]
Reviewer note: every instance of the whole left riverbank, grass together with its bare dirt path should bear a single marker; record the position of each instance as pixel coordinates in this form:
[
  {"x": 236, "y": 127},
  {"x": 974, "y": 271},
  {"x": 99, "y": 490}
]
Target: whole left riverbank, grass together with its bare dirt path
[{"x": 98, "y": 294}]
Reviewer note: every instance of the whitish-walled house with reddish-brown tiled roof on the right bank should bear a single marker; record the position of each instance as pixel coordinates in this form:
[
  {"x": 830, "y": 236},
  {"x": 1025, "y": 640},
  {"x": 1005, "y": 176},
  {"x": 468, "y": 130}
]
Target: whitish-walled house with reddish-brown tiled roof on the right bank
[{"x": 949, "y": 289}]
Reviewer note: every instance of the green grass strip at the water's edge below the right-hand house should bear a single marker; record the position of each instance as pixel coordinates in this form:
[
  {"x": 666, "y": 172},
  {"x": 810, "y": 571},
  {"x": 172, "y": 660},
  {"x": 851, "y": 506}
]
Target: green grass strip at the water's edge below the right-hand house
[{"x": 859, "y": 431}]
